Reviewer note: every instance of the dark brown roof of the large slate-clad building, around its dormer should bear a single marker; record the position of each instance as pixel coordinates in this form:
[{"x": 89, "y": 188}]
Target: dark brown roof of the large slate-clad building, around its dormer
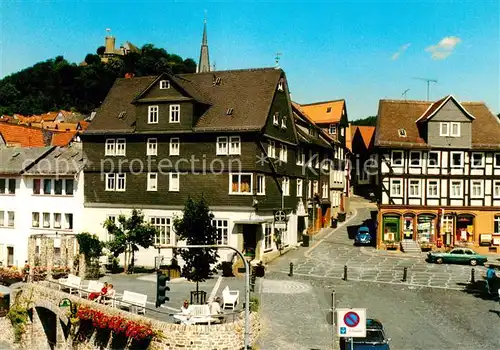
[{"x": 249, "y": 92}]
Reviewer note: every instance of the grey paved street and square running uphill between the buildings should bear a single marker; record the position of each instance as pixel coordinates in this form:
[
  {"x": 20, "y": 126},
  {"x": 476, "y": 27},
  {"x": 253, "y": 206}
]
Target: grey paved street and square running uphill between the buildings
[{"x": 433, "y": 310}]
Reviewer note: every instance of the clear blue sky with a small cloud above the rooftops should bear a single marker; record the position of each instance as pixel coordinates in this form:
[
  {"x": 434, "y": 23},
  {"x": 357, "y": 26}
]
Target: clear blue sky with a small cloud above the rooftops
[{"x": 330, "y": 49}]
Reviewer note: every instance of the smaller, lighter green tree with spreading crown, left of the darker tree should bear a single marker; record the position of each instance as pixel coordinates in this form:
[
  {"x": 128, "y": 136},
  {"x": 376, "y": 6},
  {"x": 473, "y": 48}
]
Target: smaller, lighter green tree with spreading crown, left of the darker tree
[{"x": 128, "y": 235}]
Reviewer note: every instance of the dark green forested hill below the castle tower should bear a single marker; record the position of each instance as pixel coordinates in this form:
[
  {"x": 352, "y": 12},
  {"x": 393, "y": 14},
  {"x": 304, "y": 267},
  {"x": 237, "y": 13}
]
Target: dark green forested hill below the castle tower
[{"x": 58, "y": 84}]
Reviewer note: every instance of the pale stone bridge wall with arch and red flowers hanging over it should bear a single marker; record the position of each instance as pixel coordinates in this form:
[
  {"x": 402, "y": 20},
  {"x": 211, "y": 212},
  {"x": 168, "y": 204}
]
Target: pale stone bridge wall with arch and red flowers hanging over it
[{"x": 227, "y": 336}]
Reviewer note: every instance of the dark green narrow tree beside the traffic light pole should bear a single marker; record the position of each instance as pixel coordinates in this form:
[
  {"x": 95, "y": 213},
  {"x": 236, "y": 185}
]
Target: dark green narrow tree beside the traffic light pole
[{"x": 196, "y": 228}]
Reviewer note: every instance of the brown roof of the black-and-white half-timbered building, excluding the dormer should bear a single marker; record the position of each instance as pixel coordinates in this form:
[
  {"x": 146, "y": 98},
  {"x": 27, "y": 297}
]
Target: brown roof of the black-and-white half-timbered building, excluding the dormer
[{"x": 397, "y": 114}]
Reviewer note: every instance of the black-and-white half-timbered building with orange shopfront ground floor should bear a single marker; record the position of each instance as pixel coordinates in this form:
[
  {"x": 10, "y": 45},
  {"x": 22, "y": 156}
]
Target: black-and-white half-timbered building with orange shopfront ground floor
[{"x": 439, "y": 170}]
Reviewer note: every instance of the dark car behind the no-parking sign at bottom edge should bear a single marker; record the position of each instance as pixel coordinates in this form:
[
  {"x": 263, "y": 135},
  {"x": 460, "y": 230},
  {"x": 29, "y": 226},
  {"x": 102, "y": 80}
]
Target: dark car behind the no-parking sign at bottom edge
[{"x": 375, "y": 338}]
